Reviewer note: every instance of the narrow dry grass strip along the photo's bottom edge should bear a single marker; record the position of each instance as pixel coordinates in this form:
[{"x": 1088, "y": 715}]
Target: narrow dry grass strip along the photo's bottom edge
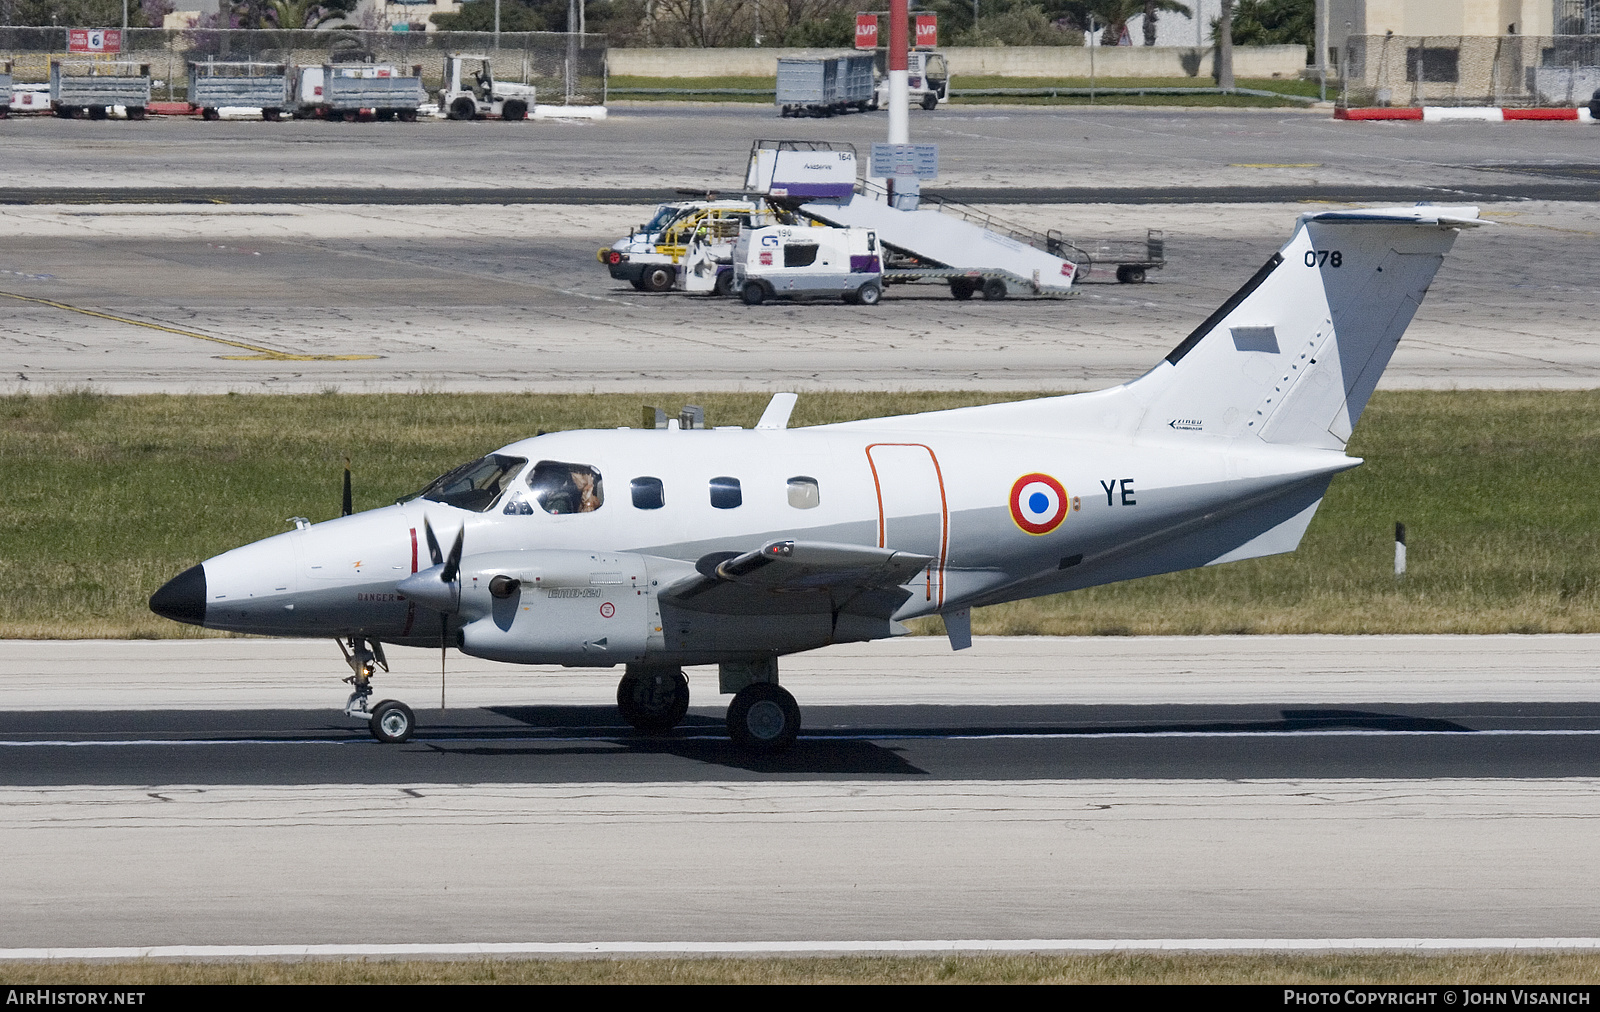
[{"x": 1500, "y": 968}]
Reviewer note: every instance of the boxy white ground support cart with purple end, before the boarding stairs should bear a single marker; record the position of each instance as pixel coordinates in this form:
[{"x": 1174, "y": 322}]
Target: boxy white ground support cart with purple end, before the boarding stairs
[{"x": 790, "y": 262}]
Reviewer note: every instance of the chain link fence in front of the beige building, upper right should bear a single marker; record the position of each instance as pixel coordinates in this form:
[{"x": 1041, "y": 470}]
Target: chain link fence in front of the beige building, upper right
[{"x": 1514, "y": 71}]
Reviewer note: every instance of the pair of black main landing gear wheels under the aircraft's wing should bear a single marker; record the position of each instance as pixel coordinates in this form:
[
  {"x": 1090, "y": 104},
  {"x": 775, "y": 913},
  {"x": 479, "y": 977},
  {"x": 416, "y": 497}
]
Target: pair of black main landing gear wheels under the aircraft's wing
[{"x": 762, "y": 718}]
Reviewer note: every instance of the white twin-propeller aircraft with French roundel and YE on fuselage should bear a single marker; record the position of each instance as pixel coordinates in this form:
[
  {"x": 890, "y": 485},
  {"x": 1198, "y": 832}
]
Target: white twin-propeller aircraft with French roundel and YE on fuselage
[{"x": 660, "y": 548}]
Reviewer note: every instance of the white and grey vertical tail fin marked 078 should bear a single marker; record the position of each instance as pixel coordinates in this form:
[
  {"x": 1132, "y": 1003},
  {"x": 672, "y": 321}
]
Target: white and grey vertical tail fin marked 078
[{"x": 1295, "y": 355}]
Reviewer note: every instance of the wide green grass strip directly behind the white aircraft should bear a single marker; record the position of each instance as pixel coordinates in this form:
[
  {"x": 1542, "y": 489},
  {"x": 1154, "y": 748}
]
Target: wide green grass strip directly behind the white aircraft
[{"x": 110, "y": 497}]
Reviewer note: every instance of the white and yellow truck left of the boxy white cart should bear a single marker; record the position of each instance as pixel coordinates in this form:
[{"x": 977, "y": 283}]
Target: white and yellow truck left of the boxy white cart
[{"x": 686, "y": 246}]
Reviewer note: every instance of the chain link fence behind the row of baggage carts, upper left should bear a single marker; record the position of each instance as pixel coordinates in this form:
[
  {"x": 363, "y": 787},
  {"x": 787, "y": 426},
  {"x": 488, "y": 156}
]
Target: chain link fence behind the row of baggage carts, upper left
[{"x": 566, "y": 68}]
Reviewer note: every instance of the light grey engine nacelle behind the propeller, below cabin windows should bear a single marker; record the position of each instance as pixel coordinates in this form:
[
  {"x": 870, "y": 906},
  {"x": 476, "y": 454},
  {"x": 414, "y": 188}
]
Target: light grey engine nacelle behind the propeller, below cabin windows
[{"x": 559, "y": 608}]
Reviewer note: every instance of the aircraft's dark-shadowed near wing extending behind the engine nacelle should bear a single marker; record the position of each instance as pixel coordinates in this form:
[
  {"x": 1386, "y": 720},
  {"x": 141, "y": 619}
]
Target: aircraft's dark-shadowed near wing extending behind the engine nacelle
[{"x": 801, "y": 577}]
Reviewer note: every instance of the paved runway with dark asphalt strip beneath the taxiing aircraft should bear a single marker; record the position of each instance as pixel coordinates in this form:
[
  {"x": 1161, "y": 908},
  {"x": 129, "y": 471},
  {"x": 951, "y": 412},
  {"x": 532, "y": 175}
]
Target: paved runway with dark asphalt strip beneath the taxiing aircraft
[{"x": 209, "y": 792}]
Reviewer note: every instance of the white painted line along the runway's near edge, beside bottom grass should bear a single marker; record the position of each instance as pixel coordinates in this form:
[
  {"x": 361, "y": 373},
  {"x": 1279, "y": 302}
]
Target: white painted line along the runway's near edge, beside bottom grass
[{"x": 777, "y": 949}]
